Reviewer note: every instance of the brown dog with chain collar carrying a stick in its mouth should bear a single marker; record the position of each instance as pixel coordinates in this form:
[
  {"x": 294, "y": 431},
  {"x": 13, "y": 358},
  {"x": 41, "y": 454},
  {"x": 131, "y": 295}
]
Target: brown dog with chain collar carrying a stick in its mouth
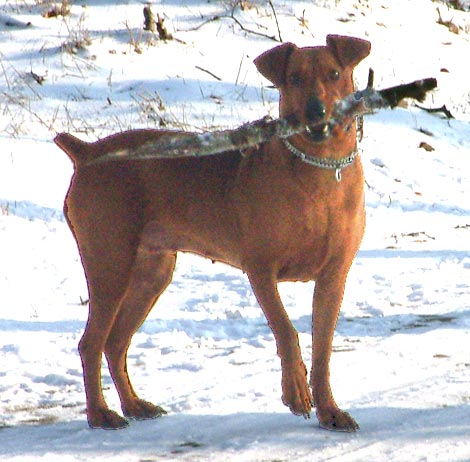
[{"x": 280, "y": 212}]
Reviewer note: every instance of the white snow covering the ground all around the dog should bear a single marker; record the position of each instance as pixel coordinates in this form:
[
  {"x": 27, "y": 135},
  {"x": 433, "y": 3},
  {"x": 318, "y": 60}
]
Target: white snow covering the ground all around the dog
[{"x": 401, "y": 361}]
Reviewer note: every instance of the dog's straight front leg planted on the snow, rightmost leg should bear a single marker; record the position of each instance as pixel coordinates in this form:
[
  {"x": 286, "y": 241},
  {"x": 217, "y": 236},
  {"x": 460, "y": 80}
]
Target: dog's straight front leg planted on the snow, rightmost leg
[{"x": 326, "y": 305}]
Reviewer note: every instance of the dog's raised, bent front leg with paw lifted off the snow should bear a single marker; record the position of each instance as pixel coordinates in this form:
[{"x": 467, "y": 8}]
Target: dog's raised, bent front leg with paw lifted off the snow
[{"x": 295, "y": 390}]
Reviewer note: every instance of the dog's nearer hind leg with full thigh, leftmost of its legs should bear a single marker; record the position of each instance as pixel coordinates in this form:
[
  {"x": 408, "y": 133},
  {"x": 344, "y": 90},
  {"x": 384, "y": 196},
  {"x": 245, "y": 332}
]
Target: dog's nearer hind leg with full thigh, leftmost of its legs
[{"x": 107, "y": 228}]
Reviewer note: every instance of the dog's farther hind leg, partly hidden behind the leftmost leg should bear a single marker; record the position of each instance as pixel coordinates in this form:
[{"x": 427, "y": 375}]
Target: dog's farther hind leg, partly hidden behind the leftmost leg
[{"x": 151, "y": 274}]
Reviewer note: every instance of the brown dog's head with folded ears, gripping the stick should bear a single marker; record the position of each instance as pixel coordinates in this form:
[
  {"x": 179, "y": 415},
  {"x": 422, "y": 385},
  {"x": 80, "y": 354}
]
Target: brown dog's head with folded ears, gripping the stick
[{"x": 311, "y": 79}]
